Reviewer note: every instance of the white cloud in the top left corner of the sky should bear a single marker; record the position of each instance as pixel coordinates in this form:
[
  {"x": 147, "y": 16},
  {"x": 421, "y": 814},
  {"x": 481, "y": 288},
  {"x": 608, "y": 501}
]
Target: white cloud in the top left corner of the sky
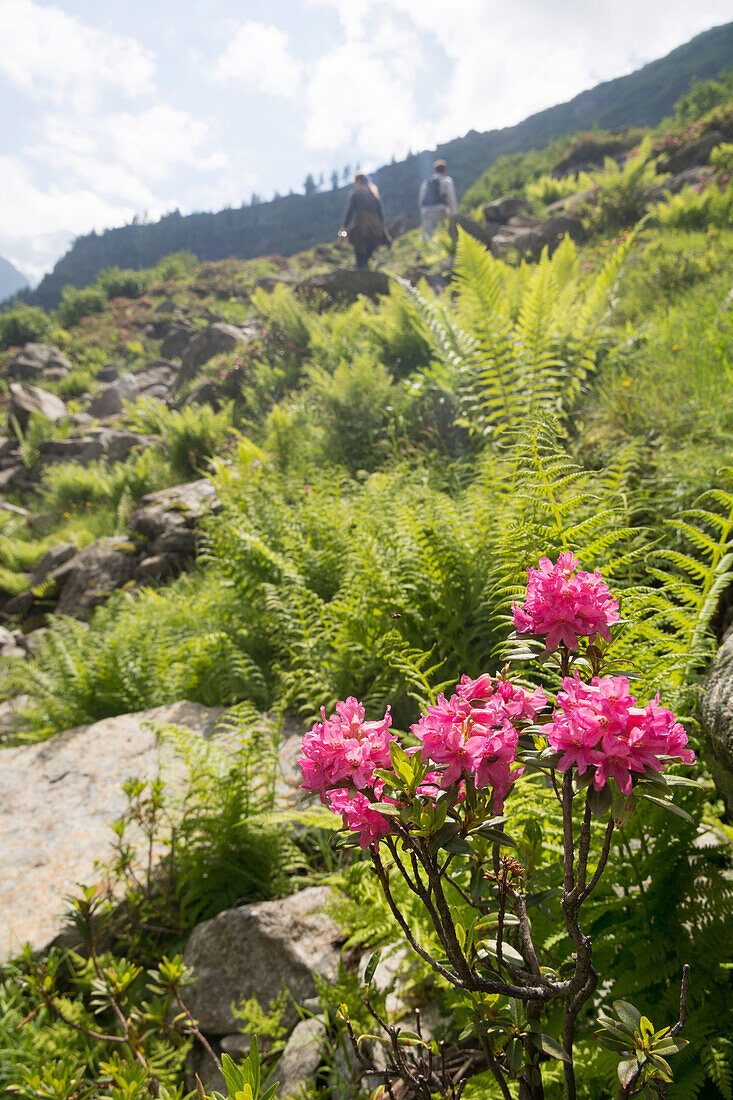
[{"x": 48, "y": 53}]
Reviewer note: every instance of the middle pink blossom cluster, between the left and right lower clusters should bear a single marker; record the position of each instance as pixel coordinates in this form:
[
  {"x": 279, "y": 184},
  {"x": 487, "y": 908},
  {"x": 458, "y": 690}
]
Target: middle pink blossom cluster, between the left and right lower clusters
[{"x": 475, "y": 733}]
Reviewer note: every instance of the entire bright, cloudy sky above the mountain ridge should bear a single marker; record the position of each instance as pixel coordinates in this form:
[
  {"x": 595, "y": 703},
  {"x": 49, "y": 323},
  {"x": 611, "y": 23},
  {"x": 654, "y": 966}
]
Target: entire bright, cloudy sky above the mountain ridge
[{"x": 116, "y": 109}]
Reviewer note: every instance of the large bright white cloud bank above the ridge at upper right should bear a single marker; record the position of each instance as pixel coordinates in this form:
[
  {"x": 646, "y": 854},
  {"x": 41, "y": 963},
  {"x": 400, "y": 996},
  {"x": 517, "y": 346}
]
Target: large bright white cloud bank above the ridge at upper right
[{"x": 505, "y": 62}]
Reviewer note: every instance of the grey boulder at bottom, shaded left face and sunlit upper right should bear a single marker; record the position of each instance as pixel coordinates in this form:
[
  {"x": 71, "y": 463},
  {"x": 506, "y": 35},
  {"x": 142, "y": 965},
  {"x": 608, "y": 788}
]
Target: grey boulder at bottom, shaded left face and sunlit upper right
[{"x": 254, "y": 951}]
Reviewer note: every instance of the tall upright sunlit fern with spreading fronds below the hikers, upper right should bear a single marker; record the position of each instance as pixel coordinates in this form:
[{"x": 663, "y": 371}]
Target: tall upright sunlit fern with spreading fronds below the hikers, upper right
[{"x": 521, "y": 345}]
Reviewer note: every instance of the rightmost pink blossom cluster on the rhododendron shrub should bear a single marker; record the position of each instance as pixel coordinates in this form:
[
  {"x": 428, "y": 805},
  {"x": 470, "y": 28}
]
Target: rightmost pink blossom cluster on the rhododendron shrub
[{"x": 599, "y": 725}]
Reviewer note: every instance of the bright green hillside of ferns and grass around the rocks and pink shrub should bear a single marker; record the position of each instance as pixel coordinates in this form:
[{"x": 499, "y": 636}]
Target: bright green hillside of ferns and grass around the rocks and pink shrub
[{"x": 388, "y": 470}]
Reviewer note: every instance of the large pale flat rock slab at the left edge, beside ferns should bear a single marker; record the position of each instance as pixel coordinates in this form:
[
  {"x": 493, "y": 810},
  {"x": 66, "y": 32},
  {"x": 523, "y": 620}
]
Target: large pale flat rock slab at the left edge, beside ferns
[{"x": 59, "y": 802}]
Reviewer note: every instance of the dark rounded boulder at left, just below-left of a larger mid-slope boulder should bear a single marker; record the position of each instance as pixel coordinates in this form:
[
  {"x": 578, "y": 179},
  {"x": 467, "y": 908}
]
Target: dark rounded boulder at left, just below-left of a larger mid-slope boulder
[{"x": 94, "y": 574}]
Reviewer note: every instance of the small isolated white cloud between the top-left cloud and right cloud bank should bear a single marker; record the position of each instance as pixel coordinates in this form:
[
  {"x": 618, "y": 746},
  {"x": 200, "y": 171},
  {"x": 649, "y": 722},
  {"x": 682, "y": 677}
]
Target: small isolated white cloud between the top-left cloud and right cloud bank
[{"x": 259, "y": 56}]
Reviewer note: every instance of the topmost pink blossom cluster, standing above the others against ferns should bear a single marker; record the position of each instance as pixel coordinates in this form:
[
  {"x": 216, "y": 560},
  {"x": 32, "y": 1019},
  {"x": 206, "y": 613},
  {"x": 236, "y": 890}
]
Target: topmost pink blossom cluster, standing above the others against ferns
[{"x": 564, "y": 606}]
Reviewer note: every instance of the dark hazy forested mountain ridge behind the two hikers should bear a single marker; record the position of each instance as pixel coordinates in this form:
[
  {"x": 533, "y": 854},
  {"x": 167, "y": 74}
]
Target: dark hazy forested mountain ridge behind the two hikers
[{"x": 298, "y": 222}]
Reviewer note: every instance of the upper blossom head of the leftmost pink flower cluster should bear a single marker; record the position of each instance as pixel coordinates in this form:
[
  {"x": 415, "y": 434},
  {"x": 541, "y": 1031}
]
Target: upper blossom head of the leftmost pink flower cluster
[{"x": 345, "y": 750}]
